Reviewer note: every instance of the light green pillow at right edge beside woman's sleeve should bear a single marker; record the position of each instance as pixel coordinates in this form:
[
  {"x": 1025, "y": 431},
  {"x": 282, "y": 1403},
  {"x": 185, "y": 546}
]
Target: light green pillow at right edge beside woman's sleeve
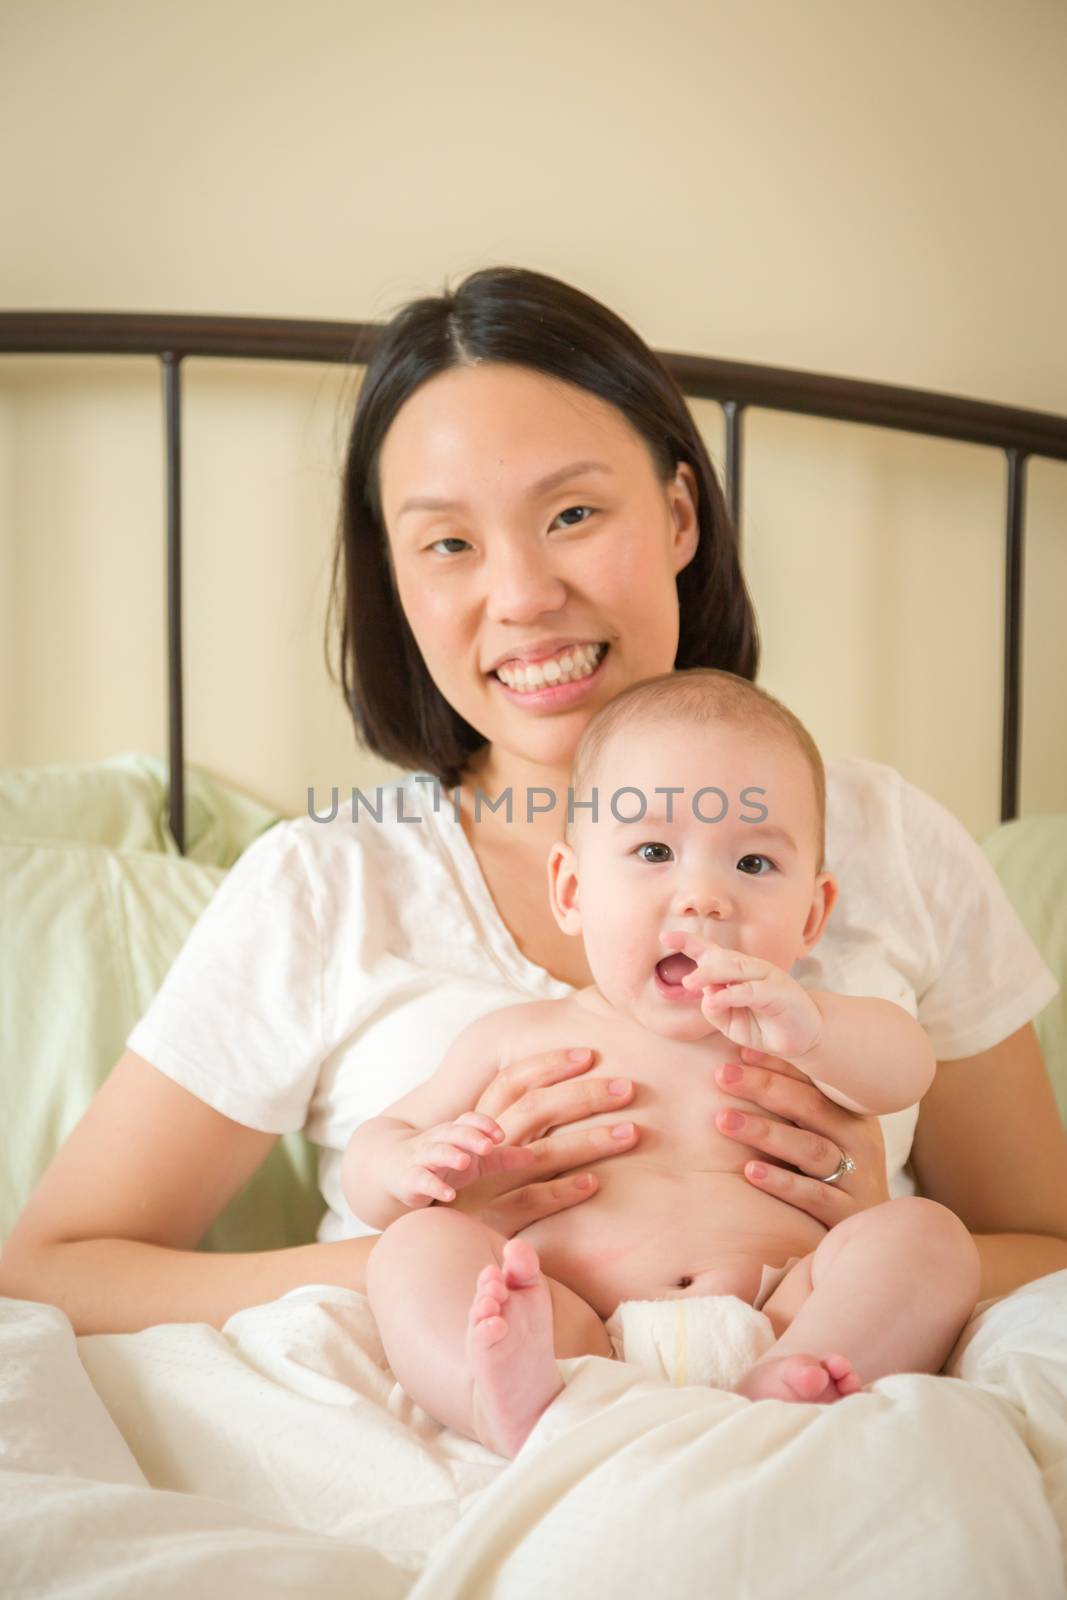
[{"x": 1031, "y": 860}]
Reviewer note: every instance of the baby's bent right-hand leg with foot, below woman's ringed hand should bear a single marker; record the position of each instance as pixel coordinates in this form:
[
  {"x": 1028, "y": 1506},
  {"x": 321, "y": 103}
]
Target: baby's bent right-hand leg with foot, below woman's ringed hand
[{"x": 892, "y": 1290}]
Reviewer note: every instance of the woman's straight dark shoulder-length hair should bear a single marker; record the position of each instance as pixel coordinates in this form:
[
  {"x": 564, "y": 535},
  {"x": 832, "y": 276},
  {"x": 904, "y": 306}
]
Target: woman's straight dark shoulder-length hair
[{"x": 527, "y": 319}]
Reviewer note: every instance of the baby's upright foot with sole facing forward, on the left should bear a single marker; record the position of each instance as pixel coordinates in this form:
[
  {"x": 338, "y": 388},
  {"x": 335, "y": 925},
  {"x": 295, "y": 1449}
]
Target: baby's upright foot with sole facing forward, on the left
[{"x": 511, "y": 1350}]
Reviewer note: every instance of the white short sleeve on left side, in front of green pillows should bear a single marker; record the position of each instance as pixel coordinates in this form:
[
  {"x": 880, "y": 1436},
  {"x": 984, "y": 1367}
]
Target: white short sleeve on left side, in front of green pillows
[{"x": 239, "y": 1017}]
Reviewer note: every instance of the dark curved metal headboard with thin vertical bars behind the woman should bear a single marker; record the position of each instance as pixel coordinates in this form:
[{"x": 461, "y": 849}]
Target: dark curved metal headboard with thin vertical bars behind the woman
[{"x": 737, "y": 386}]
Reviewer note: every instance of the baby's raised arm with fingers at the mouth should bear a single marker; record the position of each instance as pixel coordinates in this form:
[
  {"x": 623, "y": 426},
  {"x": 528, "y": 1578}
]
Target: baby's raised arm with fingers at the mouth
[{"x": 866, "y": 1055}]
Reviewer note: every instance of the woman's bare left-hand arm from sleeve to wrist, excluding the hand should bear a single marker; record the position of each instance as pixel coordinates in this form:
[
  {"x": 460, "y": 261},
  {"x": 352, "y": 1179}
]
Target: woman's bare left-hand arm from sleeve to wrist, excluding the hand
[{"x": 110, "y": 1234}]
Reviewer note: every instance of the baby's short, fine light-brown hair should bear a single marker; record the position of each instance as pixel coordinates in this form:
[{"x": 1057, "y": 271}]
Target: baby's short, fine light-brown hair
[{"x": 703, "y": 697}]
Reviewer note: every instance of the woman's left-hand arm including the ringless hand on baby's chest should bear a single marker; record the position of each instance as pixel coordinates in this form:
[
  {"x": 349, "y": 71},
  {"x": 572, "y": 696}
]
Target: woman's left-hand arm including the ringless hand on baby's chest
[{"x": 111, "y": 1231}]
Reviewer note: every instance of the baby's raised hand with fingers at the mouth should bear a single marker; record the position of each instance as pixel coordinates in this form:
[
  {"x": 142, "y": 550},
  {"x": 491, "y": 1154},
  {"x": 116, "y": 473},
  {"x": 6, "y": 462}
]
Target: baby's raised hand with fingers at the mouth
[{"x": 753, "y": 1002}]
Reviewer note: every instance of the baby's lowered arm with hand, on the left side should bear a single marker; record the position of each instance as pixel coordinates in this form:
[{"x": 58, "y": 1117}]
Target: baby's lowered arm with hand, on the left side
[{"x": 394, "y": 1162}]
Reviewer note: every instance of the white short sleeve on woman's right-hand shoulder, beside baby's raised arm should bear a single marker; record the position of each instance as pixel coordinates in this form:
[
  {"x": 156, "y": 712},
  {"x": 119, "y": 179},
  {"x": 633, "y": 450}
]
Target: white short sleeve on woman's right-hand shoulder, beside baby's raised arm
[{"x": 989, "y": 978}]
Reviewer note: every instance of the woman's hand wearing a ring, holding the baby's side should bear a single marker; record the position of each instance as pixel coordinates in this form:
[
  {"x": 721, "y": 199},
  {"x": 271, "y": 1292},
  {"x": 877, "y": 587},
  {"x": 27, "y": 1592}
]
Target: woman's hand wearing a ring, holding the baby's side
[{"x": 809, "y": 1145}]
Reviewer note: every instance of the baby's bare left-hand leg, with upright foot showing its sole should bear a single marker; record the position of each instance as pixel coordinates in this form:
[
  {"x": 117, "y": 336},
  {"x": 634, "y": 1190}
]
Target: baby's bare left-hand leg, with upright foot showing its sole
[{"x": 471, "y": 1326}]
